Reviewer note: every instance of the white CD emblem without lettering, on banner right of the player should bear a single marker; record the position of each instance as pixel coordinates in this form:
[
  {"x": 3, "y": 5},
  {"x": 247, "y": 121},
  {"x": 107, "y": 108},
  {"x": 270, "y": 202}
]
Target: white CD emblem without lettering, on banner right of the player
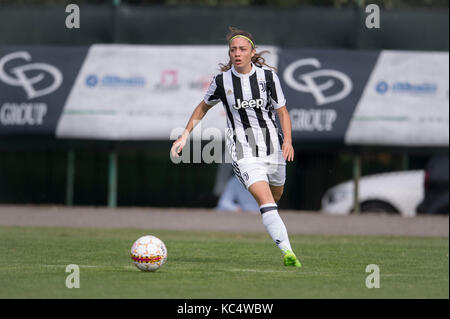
[{"x": 310, "y": 85}]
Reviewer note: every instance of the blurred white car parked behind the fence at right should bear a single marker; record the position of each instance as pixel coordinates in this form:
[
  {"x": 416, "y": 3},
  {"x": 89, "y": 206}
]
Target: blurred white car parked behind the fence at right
[{"x": 396, "y": 192}]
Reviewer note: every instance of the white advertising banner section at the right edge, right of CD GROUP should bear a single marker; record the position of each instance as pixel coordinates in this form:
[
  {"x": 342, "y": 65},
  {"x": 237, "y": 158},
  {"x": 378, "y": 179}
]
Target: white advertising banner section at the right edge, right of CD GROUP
[{"x": 405, "y": 102}]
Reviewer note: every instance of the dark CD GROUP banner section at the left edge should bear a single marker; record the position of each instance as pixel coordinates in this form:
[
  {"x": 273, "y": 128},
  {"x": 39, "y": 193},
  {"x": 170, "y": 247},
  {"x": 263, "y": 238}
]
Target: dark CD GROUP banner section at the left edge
[{"x": 35, "y": 82}]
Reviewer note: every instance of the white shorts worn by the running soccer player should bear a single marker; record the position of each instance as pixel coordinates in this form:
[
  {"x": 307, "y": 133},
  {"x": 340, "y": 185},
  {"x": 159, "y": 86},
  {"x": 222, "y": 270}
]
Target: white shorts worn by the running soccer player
[{"x": 251, "y": 170}]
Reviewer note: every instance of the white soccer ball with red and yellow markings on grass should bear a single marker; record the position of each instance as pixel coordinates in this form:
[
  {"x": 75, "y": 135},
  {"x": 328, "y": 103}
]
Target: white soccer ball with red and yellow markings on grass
[{"x": 148, "y": 253}]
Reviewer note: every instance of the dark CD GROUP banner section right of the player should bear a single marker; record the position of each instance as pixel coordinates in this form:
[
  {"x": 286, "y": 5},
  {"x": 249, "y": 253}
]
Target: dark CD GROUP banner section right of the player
[{"x": 322, "y": 89}]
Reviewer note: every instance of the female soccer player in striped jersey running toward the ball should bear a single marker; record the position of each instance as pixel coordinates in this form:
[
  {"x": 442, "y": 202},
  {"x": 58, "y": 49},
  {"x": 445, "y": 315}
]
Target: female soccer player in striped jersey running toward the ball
[{"x": 249, "y": 95}]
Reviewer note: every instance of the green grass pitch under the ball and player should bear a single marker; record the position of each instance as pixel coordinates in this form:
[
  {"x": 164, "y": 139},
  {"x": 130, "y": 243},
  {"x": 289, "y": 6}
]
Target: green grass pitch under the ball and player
[{"x": 218, "y": 265}]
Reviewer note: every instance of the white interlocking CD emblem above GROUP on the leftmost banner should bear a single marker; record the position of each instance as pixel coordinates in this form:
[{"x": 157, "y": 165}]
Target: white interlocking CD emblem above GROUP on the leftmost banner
[{"x": 28, "y": 82}]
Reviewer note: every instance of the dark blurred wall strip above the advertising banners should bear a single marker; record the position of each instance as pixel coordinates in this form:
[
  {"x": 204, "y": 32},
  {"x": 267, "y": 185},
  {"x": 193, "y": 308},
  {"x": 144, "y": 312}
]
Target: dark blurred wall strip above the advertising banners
[{"x": 141, "y": 22}]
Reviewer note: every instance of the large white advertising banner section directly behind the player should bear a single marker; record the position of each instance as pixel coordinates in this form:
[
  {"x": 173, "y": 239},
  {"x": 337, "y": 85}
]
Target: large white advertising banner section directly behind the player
[{"x": 136, "y": 92}]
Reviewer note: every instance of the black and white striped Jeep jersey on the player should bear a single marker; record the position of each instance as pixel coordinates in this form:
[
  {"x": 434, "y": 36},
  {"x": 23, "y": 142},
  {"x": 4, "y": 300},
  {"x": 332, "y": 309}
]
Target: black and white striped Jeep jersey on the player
[{"x": 249, "y": 101}]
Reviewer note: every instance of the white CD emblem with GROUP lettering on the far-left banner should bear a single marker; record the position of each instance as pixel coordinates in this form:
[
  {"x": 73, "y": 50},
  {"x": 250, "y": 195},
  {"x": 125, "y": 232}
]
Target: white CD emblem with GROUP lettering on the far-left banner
[{"x": 36, "y": 79}]
